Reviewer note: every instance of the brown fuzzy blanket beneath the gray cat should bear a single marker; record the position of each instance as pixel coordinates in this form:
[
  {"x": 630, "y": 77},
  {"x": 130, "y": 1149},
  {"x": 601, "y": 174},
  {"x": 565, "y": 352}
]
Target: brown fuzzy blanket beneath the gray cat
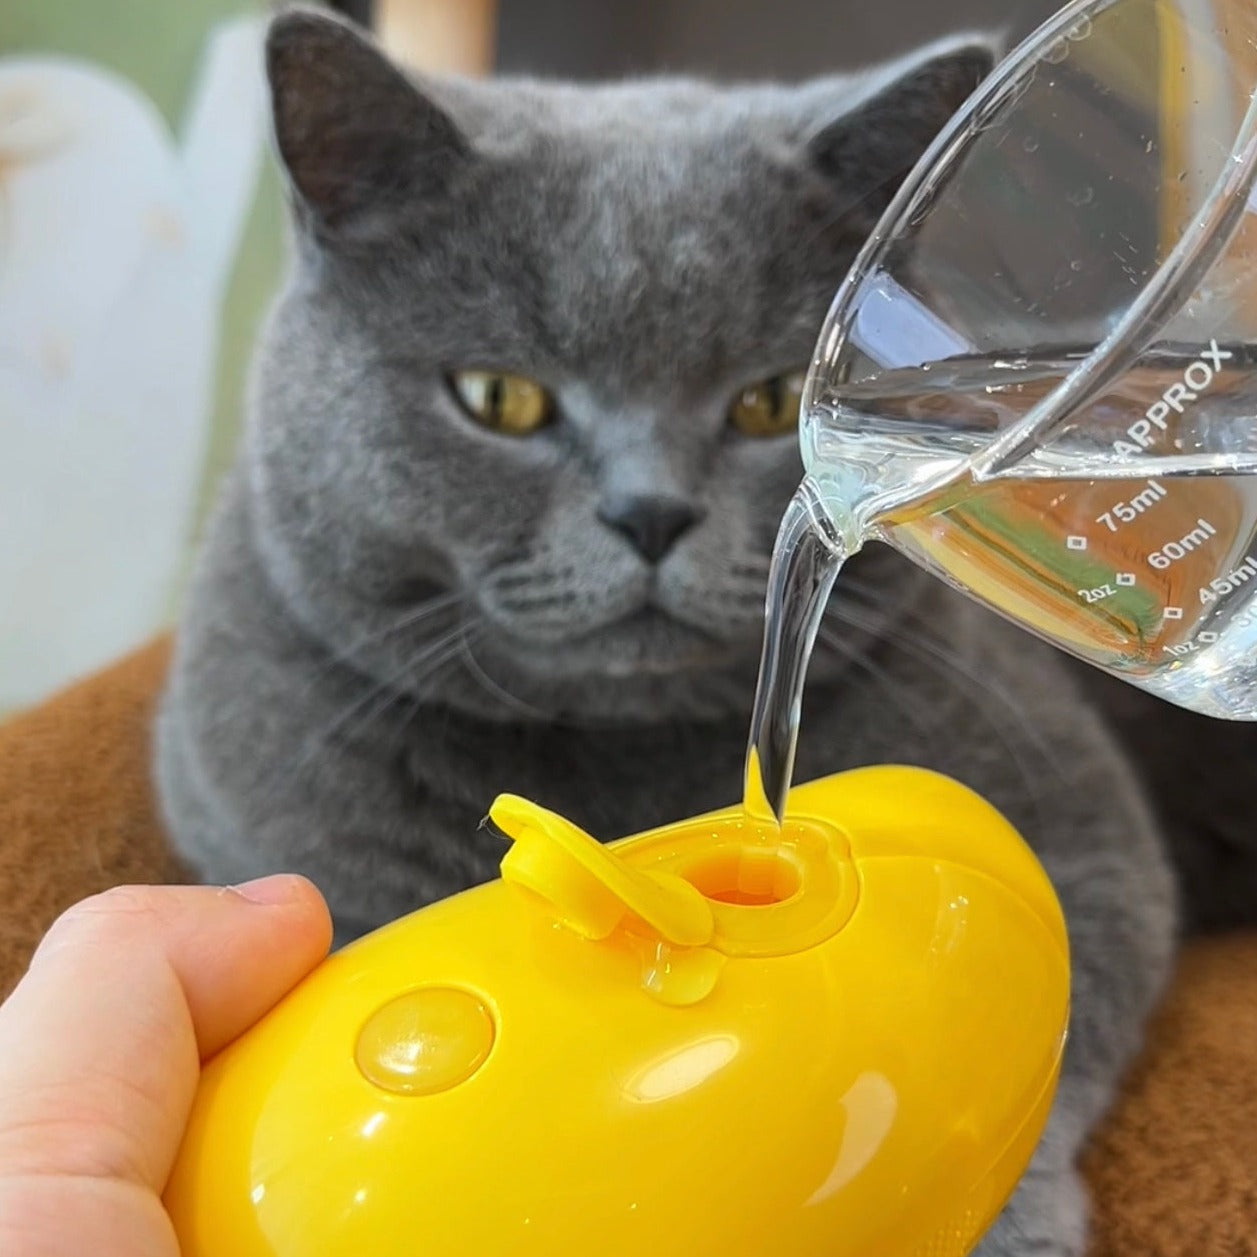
[{"x": 1175, "y": 1170}]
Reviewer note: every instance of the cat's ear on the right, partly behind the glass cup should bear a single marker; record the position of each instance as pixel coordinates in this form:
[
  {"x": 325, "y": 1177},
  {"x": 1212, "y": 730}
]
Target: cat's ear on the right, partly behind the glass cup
[{"x": 901, "y": 109}]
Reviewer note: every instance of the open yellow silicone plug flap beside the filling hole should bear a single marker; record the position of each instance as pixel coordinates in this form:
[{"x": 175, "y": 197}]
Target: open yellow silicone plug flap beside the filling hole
[{"x": 589, "y": 887}]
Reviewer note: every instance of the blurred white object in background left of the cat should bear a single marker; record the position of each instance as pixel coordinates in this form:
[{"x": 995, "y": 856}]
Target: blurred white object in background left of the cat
[{"x": 116, "y": 247}]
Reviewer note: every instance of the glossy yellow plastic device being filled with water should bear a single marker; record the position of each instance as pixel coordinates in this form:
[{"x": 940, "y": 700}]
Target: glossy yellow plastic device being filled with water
[{"x": 698, "y": 1043}]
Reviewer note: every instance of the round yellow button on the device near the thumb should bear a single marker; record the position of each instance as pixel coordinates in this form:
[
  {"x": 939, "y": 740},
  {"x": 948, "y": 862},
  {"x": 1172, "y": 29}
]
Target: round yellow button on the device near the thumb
[{"x": 425, "y": 1041}]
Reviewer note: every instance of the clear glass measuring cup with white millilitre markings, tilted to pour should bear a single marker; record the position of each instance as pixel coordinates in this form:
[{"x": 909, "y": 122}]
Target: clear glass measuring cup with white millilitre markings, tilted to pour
[{"x": 1040, "y": 379}]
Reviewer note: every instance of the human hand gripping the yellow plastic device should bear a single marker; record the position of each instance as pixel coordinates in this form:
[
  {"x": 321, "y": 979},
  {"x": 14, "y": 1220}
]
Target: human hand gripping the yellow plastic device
[{"x": 101, "y": 1048}]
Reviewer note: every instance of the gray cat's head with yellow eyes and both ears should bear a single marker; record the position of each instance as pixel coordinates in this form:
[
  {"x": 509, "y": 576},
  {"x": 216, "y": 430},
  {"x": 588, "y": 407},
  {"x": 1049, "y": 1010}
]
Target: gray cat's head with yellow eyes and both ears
[{"x": 544, "y": 350}]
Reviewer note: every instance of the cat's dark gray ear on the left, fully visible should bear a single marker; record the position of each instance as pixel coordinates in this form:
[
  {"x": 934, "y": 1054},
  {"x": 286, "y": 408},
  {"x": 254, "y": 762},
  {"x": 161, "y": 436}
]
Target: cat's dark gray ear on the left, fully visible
[{"x": 356, "y": 136}]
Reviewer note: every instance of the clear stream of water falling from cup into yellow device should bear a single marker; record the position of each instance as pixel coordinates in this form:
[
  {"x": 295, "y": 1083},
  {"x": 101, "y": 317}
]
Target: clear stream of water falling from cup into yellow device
[{"x": 806, "y": 561}]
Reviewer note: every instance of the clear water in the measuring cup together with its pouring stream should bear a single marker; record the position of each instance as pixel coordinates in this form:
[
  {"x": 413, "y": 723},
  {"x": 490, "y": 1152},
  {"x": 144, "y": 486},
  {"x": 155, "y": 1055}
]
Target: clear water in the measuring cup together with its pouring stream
[{"x": 1112, "y": 544}]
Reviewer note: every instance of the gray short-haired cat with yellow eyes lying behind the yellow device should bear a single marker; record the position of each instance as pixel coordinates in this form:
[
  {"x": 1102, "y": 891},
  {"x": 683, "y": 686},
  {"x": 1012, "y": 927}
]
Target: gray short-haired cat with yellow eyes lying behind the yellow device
[{"x": 521, "y": 438}]
